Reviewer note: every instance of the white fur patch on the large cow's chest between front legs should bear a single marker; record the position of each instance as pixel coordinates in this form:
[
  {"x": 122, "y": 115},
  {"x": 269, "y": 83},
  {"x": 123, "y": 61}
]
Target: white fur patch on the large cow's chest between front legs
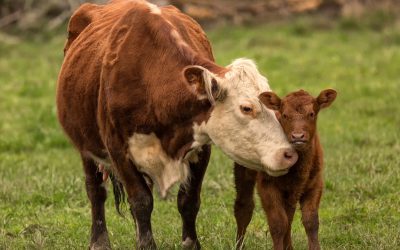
[{"x": 149, "y": 157}]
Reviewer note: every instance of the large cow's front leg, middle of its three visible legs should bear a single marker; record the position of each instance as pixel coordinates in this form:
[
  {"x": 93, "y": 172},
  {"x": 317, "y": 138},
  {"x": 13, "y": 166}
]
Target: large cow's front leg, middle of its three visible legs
[{"x": 139, "y": 194}]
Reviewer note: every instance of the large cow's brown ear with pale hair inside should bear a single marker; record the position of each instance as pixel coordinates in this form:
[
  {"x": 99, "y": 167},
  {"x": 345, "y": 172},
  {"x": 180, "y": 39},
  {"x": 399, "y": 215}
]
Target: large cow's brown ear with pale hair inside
[{"x": 204, "y": 83}]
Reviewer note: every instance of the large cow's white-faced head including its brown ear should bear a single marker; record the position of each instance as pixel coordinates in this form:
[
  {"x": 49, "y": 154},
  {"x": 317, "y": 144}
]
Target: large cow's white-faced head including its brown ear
[{"x": 239, "y": 124}]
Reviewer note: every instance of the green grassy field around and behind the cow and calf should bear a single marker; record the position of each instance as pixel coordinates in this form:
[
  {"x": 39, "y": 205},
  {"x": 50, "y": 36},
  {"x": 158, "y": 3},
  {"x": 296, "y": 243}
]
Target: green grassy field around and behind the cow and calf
[{"x": 43, "y": 203}]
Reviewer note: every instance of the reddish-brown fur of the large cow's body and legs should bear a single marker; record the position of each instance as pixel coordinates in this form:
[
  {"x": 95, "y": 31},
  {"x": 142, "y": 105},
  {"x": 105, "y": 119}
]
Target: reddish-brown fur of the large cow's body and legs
[{"x": 123, "y": 74}]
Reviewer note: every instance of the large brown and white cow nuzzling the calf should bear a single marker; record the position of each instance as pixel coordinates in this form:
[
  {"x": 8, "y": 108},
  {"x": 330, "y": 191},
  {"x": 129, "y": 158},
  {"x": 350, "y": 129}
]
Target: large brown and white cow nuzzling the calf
[{"x": 139, "y": 93}]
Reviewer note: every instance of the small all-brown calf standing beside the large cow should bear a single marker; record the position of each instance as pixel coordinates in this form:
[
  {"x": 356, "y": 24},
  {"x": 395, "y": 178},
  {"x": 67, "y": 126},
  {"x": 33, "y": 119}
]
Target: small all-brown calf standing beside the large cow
[{"x": 303, "y": 184}]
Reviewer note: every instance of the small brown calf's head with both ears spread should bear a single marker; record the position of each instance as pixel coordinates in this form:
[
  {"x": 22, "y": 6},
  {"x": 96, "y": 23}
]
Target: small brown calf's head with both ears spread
[{"x": 297, "y": 112}]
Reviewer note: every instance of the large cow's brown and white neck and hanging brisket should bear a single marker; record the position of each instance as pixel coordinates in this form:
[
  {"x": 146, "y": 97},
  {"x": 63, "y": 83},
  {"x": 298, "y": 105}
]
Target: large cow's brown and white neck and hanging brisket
[{"x": 165, "y": 154}]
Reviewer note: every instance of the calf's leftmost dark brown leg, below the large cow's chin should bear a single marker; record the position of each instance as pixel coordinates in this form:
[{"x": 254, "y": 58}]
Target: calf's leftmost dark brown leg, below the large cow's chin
[{"x": 245, "y": 180}]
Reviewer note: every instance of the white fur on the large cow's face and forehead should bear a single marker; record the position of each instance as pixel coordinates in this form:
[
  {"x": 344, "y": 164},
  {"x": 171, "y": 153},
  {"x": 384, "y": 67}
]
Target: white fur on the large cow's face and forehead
[{"x": 251, "y": 141}]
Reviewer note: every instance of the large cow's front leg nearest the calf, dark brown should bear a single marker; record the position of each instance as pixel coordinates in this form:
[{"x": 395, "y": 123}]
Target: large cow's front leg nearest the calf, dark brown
[{"x": 189, "y": 199}]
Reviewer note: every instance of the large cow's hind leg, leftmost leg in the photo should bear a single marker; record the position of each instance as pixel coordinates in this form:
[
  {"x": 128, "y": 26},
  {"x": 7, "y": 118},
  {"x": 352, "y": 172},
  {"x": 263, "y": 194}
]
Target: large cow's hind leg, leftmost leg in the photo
[{"x": 97, "y": 195}]
